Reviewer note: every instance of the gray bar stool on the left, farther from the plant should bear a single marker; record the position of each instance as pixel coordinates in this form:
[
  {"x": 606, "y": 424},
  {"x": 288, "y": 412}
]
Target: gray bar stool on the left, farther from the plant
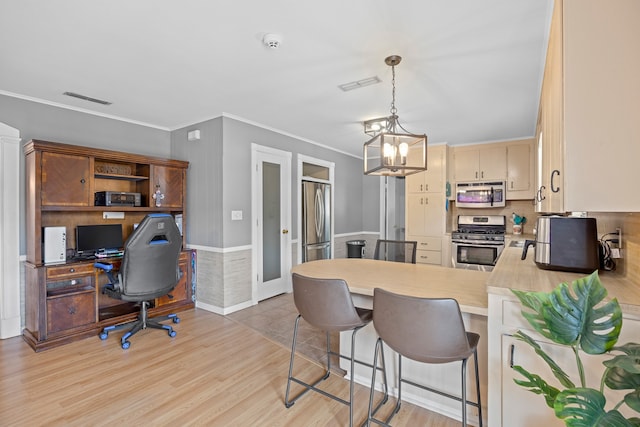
[{"x": 326, "y": 304}]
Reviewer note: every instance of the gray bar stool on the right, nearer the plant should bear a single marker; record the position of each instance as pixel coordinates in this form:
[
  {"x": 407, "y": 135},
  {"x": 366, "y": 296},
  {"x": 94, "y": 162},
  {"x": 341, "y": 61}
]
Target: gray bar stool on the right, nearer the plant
[{"x": 427, "y": 330}]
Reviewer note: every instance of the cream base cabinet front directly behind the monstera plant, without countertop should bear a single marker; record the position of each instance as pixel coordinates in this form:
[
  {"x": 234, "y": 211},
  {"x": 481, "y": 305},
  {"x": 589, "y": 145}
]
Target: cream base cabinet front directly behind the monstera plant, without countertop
[{"x": 511, "y": 404}]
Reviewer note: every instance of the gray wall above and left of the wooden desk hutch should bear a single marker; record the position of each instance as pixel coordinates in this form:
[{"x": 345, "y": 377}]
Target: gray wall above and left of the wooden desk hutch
[{"x": 49, "y": 123}]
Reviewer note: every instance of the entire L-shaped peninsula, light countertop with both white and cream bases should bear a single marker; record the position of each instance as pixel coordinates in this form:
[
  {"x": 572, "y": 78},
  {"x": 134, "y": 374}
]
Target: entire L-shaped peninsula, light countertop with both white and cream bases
[{"x": 490, "y": 309}]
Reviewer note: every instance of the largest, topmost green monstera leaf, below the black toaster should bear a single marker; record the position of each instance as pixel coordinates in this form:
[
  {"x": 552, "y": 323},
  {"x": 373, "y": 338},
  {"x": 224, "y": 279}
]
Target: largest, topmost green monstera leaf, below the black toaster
[{"x": 575, "y": 315}]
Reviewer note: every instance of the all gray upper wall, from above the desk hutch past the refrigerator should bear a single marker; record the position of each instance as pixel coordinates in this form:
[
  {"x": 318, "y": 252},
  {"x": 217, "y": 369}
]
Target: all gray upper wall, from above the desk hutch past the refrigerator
[{"x": 219, "y": 175}]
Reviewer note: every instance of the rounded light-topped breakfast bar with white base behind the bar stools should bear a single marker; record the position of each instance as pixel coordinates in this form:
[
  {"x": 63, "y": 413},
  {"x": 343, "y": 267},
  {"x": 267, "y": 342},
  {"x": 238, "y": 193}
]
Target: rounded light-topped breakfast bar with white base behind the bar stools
[{"x": 421, "y": 280}]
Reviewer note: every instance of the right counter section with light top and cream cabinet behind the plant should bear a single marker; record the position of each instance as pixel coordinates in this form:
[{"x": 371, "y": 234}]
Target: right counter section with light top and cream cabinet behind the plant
[{"x": 507, "y": 401}]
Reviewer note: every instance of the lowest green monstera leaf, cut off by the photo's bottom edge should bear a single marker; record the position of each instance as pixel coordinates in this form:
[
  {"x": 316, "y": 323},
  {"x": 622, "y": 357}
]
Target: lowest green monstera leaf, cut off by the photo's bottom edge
[{"x": 584, "y": 407}]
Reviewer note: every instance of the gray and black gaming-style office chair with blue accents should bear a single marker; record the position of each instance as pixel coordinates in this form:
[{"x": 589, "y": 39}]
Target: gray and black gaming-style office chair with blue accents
[{"x": 149, "y": 270}]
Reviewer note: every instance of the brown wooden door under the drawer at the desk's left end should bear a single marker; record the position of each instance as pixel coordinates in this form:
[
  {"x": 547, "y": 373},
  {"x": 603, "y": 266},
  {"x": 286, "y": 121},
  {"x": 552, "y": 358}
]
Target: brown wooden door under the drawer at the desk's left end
[{"x": 70, "y": 311}]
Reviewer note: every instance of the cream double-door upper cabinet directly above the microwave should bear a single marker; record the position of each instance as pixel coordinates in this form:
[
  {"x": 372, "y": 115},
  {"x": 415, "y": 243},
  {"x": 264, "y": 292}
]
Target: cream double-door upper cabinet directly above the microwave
[{"x": 480, "y": 163}]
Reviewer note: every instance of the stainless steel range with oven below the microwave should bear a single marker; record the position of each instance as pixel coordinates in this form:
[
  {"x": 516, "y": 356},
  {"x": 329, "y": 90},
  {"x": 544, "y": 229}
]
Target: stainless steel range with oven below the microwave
[{"x": 478, "y": 241}]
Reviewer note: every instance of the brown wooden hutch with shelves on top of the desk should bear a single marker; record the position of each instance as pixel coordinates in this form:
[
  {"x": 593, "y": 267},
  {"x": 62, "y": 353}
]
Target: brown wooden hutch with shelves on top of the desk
[{"x": 62, "y": 181}]
